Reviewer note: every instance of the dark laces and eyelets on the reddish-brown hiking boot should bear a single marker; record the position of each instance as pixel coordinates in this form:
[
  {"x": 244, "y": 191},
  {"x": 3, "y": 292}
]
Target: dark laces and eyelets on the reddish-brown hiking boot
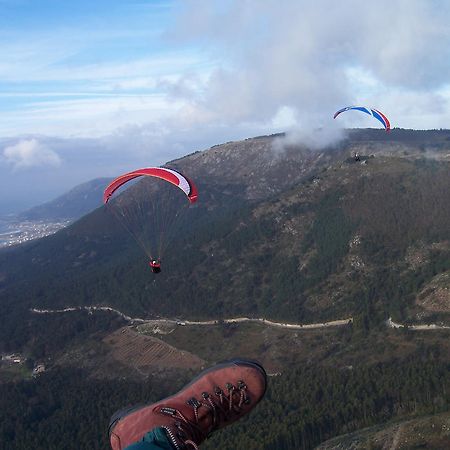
[{"x": 221, "y": 406}]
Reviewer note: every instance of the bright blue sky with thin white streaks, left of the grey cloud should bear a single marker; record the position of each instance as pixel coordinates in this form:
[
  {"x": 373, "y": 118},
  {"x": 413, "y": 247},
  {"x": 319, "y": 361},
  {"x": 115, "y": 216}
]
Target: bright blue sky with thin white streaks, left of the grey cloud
[{"x": 78, "y": 69}]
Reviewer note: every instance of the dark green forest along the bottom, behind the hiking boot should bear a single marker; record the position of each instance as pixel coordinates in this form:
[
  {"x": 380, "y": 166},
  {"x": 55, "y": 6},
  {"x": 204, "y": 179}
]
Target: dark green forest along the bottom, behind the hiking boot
[{"x": 302, "y": 408}]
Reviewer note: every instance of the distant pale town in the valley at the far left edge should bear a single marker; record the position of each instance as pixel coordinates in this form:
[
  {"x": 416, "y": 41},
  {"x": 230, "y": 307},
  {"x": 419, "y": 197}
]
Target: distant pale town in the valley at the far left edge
[{"x": 15, "y": 233}]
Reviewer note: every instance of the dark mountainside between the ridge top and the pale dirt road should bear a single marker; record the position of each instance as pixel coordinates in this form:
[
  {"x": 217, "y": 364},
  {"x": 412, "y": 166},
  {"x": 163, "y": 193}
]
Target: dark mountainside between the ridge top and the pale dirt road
[{"x": 365, "y": 239}]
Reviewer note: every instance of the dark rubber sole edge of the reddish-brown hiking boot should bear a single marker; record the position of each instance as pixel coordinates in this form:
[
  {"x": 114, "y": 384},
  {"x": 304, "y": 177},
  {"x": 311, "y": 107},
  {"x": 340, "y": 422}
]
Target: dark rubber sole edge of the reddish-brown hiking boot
[{"x": 124, "y": 412}]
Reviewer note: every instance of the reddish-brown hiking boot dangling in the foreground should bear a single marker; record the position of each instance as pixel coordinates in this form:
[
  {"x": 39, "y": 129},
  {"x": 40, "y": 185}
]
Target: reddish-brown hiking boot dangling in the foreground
[{"x": 216, "y": 398}]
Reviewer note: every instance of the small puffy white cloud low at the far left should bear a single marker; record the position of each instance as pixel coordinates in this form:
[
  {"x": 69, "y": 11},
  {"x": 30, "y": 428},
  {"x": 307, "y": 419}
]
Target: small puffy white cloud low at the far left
[{"x": 30, "y": 153}]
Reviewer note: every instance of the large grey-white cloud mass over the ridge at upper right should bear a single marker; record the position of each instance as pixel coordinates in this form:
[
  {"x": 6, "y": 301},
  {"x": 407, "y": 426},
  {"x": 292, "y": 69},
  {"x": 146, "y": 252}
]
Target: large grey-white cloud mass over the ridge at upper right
[{"x": 311, "y": 58}]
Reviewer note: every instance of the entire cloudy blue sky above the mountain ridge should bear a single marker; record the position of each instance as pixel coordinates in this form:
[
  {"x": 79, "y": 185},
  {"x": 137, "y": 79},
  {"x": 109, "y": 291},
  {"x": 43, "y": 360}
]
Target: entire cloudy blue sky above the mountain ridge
[{"x": 92, "y": 89}]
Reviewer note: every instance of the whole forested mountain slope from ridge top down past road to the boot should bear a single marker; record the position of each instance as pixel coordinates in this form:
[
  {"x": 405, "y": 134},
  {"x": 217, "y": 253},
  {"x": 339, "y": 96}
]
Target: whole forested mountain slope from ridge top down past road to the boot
[{"x": 295, "y": 236}]
